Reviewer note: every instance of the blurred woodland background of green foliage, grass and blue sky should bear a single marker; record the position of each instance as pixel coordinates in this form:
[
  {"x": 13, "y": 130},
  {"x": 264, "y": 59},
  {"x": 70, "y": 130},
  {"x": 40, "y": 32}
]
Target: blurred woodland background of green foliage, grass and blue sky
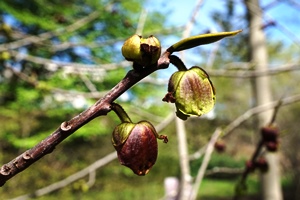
[{"x": 57, "y": 59}]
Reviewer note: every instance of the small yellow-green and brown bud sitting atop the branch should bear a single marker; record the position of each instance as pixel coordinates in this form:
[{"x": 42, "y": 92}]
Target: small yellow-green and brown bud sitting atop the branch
[{"x": 142, "y": 51}]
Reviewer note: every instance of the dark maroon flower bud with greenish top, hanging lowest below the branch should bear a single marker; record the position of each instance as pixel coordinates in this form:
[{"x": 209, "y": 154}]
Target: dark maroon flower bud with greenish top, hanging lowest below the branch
[{"x": 136, "y": 145}]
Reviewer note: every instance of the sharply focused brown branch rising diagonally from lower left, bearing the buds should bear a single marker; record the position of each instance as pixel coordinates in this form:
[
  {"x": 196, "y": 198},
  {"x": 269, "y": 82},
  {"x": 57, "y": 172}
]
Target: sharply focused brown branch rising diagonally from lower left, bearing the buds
[{"x": 101, "y": 107}]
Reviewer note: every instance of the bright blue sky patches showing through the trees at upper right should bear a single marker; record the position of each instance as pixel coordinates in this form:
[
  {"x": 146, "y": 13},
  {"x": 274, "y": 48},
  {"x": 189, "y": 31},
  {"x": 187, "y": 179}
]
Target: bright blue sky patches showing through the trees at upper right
[{"x": 286, "y": 16}]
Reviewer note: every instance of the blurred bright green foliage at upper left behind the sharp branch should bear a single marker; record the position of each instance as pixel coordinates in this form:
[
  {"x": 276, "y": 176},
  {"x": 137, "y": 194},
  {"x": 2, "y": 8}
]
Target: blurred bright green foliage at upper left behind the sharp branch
[{"x": 46, "y": 95}]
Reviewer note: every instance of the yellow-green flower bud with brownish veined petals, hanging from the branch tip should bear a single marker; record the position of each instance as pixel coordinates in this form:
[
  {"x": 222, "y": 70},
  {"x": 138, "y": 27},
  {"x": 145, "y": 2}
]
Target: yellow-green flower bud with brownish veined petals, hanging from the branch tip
[{"x": 192, "y": 92}]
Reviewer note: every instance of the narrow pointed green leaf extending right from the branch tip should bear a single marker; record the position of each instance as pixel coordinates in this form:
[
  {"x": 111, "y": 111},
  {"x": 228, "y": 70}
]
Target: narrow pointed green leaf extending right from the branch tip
[{"x": 197, "y": 40}]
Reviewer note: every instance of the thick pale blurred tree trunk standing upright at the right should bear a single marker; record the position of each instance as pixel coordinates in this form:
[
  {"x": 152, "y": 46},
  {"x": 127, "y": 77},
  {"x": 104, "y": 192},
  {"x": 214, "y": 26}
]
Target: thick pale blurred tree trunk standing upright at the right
[{"x": 270, "y": 181}]
